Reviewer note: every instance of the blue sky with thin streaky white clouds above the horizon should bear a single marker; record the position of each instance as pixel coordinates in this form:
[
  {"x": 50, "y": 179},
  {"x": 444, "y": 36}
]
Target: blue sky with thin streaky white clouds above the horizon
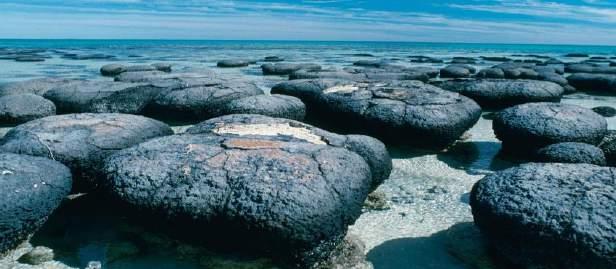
[{"x": 492, "y": 21}]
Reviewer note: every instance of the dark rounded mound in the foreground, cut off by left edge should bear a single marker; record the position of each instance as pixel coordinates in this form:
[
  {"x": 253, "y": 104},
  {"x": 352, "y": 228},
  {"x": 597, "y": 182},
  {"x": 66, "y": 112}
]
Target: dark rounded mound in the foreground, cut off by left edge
[{"x": 32, "y": 188}]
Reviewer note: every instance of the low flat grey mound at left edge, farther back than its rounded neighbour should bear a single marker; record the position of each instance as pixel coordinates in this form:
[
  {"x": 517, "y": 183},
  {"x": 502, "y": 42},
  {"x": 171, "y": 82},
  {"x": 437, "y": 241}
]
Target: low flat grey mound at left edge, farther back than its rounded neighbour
[{"x": 33, "y": 86}]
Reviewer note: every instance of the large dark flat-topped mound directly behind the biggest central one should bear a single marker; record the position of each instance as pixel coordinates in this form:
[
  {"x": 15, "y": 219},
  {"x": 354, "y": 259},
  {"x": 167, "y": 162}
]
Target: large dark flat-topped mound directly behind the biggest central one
[{"x": 410, "y": 112}]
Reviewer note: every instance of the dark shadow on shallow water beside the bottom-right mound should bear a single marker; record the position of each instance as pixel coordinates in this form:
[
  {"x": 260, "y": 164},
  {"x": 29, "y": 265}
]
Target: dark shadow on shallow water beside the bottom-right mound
[{"x": 460, "y": 246}]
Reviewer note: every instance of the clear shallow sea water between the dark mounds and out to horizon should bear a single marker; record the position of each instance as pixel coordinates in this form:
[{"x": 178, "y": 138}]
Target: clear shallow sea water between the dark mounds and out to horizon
[{"x": 427, "y": 192}]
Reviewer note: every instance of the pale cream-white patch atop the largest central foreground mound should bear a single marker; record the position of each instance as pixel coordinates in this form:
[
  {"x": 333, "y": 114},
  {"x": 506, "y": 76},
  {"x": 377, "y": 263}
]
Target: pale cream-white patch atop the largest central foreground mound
[{"x": 275, "y": 129}]
